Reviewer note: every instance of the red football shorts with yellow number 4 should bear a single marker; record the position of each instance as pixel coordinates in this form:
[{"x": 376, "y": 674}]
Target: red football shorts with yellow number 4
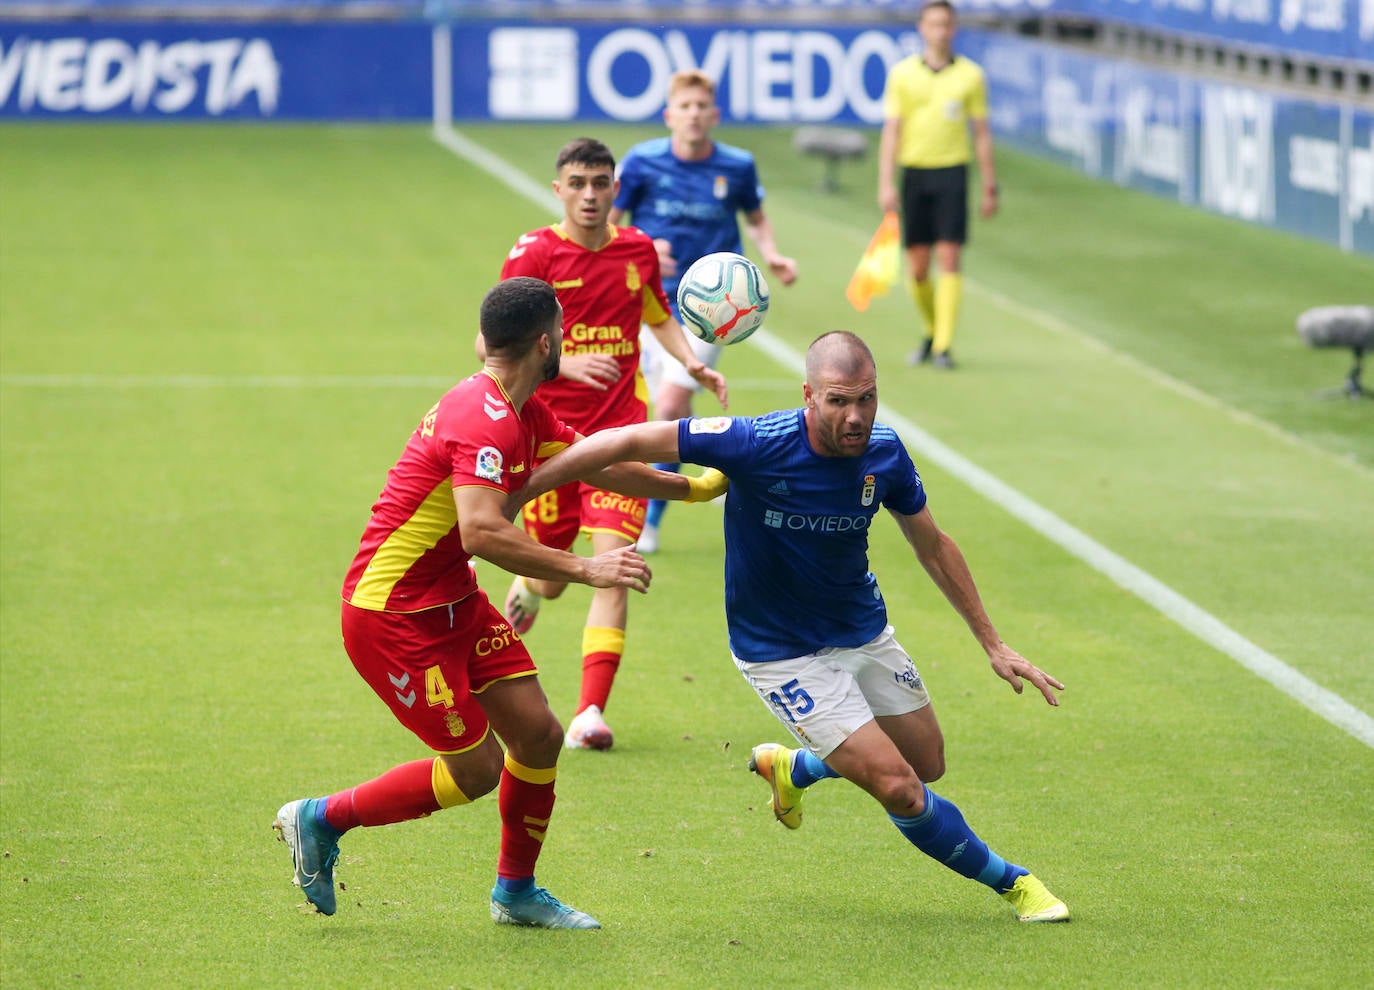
[{"x": 429, "y": 665}]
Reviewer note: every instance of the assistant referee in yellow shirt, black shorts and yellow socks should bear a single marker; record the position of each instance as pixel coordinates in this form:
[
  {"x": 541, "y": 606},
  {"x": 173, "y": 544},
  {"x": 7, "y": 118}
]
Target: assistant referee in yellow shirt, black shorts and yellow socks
[{"x": 931, "y": 105}]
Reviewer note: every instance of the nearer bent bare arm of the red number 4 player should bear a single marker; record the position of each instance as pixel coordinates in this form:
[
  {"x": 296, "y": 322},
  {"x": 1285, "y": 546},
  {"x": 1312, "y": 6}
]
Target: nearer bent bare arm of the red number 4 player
[{"x": 487, "y": 533}]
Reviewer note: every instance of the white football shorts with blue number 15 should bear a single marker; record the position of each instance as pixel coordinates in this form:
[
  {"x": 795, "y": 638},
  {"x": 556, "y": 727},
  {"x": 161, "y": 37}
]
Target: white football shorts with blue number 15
[{"x": 824, "y": 698}]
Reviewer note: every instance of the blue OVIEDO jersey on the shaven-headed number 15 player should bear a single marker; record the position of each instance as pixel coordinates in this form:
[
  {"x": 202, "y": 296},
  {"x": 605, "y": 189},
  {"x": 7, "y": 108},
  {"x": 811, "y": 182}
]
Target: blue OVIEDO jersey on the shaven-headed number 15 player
[{"x": 798, "y": 575}]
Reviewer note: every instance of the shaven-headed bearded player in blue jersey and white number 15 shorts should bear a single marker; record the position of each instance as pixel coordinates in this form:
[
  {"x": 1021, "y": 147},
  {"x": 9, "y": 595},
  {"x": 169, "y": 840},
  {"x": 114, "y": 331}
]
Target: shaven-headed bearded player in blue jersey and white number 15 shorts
[{"x": 809, "y": 627}]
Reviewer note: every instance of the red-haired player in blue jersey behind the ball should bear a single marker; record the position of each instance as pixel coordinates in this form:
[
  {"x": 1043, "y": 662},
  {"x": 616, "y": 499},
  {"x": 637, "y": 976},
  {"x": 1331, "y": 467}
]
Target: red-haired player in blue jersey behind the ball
[{"x": 686, "y": 193}]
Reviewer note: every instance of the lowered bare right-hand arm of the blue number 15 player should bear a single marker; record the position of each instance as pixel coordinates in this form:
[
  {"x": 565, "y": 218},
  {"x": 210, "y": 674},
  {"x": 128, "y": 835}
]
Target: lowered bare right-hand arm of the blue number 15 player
[{"x": 947, "y": 568}]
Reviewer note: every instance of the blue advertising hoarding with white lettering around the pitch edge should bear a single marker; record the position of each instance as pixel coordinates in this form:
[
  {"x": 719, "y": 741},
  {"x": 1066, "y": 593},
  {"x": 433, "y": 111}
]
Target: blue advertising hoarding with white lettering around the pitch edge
[{"x": 1294, "y": 164}]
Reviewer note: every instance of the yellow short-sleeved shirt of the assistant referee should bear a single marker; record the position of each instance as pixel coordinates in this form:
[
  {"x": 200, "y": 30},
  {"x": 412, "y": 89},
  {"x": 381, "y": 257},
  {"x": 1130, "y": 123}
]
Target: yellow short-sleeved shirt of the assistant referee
[{"x": 935, "y": 109}]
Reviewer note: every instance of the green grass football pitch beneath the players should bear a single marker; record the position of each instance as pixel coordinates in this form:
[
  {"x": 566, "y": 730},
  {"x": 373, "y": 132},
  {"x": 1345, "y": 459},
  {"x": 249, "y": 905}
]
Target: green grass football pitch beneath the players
[{"x": 214, "y": 343}]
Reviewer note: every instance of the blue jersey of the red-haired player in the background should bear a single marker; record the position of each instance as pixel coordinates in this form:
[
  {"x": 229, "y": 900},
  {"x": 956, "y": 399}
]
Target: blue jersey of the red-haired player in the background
[{"x": 695, "y": 207}]
